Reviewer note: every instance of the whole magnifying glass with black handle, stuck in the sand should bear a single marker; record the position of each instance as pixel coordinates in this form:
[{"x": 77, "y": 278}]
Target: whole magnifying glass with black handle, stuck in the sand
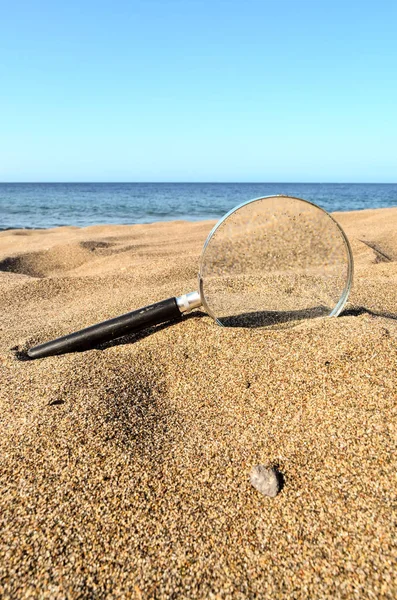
[{"x": 270, "y": 262}]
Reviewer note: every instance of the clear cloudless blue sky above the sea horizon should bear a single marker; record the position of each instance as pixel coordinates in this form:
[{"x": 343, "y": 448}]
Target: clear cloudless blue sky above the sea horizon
[{"x": 198, "y": 90}]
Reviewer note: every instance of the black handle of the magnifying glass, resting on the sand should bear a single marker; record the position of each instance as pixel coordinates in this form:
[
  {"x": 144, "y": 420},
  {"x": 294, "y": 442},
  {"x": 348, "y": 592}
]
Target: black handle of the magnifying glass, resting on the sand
[{"x": 166, "y": 310}]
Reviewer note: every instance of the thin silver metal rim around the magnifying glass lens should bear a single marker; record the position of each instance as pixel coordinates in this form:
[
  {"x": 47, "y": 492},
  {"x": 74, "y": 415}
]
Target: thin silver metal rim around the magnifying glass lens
[{"x": 350, "y": 267}]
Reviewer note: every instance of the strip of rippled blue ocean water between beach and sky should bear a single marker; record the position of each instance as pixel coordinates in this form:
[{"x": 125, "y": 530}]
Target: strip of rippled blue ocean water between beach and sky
[{"x": 43, "y": 205}]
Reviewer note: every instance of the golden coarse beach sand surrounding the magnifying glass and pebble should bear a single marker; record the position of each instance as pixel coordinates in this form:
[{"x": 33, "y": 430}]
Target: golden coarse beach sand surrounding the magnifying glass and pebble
[{"x": 125, "y": 471}]
